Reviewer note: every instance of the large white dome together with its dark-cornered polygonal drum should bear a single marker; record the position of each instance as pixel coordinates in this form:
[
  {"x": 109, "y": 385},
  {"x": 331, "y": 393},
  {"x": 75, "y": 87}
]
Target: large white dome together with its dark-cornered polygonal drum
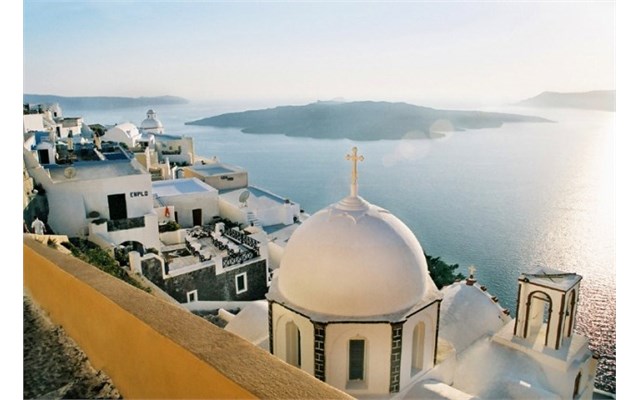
[{"x": 353, "y": 302}]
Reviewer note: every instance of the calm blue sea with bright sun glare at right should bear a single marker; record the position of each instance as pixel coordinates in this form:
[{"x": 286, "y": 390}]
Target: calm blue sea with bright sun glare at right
[{"x": 504, "y": 199}]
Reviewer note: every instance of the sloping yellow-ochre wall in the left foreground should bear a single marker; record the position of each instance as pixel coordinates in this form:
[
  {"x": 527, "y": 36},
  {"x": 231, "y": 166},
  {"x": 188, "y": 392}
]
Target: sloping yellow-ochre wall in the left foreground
[{"x": 151, "y": 348}]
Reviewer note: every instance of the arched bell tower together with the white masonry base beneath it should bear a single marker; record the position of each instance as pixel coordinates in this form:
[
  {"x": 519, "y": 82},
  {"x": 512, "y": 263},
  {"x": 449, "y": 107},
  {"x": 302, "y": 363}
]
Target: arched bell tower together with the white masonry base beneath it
[{"x": 543, "y": 329}]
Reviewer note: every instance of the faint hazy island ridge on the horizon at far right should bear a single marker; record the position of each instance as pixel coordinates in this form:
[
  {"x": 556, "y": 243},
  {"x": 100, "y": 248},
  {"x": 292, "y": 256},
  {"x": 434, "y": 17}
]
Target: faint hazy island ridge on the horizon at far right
[{"x": 604, "y": 100}]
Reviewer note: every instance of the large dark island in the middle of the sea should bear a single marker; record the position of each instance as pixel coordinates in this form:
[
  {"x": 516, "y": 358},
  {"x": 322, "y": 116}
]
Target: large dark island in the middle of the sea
[{"x": 361, "y": 120}]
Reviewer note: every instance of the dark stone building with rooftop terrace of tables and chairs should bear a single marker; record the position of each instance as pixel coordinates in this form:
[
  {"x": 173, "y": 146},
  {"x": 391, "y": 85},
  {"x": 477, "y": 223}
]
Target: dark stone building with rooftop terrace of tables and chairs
[{"x": 208, "y": 265}]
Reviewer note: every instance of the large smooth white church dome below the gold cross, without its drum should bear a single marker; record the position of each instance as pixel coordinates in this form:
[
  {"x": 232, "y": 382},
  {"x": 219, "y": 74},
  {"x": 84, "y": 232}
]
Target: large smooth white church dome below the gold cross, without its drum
[{"x": 354, "y": 259}]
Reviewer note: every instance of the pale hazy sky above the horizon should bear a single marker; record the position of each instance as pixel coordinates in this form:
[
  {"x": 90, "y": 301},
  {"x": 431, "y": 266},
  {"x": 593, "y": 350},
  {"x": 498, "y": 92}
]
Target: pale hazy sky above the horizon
[{"x": 484, "y": 52}]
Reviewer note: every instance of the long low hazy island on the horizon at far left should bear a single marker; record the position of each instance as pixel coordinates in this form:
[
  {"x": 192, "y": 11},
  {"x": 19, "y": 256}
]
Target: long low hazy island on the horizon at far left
[{"x": 101, "y": 102}]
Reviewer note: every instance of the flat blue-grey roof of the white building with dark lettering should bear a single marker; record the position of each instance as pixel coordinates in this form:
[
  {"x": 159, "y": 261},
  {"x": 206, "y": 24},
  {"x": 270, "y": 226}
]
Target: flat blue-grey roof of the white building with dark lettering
[{"x": 90, "y": 170}]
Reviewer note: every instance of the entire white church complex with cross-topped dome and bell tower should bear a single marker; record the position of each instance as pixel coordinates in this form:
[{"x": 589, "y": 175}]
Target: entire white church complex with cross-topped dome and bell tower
[{"x": 353, "y": 305}]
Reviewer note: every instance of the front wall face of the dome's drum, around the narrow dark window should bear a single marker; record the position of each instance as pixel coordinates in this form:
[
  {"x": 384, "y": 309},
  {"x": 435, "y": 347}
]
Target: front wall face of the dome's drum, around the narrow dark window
[{"x": 377, "y": 356}]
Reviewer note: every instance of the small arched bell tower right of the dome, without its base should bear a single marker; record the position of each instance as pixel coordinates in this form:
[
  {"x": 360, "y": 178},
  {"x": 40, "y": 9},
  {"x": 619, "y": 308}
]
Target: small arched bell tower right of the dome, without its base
[{"x": 546, "y": 307}]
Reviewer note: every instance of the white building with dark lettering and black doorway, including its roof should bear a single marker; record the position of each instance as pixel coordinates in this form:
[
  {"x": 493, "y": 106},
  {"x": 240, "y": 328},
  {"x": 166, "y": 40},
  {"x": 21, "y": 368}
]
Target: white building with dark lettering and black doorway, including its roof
[{"x": 109, "y": 201}]
